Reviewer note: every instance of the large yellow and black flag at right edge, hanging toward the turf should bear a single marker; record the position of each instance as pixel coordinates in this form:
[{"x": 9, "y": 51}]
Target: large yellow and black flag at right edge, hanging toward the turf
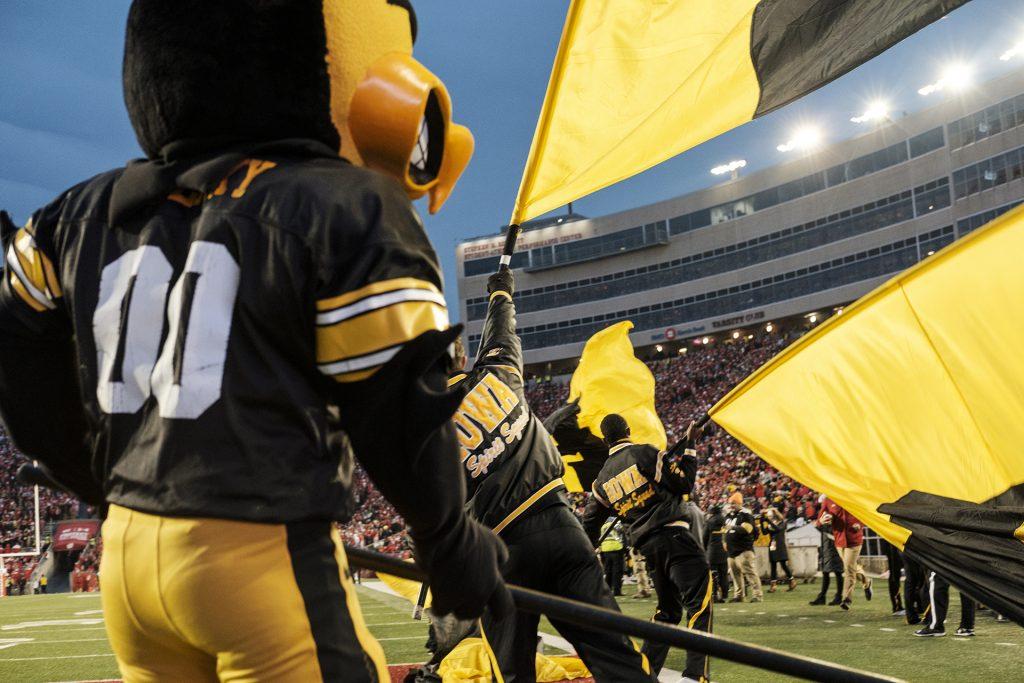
[{"x": 908, "y": 410}]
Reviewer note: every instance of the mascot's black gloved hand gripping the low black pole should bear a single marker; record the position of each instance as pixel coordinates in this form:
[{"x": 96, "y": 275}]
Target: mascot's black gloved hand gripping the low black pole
[{"x": 465, "y": 572}]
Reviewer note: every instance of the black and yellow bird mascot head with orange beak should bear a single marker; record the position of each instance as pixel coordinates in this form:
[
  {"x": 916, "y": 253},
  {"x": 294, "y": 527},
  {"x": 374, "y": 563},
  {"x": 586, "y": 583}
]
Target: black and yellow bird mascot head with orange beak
[{"x": 340, "y": 72}]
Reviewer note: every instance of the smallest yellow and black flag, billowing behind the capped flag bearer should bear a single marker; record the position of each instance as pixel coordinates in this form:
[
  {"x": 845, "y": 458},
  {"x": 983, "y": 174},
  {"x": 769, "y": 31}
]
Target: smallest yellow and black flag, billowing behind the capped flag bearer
[{"x": 610, "y": 379}]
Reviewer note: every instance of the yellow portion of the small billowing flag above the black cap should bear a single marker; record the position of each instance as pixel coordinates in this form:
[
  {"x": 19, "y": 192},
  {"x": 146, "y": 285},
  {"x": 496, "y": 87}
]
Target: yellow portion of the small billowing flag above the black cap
[{"x": 612, "y": 379}]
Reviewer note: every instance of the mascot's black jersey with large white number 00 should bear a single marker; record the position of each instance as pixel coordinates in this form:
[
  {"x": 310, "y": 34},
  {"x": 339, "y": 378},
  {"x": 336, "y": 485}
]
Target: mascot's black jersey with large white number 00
[{"x": 212, "y": 302}]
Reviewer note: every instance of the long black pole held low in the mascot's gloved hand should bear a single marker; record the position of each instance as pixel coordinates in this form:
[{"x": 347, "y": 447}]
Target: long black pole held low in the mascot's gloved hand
[{"x": 591, "y": 617}]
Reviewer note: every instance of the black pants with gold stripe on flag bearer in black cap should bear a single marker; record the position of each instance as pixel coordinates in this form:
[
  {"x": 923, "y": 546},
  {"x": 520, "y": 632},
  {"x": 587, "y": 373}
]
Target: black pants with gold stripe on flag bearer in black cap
[{"x": 682, "y": 580}]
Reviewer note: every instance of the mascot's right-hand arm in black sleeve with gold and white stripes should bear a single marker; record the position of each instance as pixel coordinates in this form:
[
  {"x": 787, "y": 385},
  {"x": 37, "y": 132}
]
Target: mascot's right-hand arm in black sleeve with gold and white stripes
[{"x": 382, "y": 334}]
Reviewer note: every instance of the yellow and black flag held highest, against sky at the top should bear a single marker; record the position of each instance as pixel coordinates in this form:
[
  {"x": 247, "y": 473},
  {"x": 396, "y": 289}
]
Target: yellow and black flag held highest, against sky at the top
[{"x": 635, "y": 83}]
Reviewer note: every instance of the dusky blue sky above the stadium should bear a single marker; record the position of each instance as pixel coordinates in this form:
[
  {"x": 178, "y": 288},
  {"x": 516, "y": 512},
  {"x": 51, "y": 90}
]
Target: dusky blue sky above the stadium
[{"x": 63, "y": 117}]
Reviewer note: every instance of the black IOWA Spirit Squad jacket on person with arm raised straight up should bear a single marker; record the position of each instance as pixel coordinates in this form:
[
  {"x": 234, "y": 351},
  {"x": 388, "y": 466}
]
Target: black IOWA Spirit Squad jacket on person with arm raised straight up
[{"x": 510, "y": 462}]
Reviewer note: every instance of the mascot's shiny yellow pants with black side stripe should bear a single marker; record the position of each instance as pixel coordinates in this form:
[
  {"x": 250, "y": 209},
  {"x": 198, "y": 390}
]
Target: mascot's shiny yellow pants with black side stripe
[{"x": 196, "y": 600}]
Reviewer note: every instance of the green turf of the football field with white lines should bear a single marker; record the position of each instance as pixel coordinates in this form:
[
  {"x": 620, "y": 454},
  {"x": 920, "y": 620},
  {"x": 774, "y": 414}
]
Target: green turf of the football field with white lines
[{"x": 79, "y": 651}]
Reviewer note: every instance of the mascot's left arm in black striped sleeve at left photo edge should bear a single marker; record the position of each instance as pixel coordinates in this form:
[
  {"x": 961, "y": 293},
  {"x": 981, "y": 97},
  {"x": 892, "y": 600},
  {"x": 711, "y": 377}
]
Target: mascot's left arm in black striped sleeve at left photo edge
[{"x": 40, "y": 403}]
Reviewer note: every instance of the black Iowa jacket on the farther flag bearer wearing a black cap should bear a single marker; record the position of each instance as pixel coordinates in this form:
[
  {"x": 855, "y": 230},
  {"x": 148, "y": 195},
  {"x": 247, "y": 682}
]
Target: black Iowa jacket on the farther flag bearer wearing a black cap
[{"x": 646, "y": 488}]
